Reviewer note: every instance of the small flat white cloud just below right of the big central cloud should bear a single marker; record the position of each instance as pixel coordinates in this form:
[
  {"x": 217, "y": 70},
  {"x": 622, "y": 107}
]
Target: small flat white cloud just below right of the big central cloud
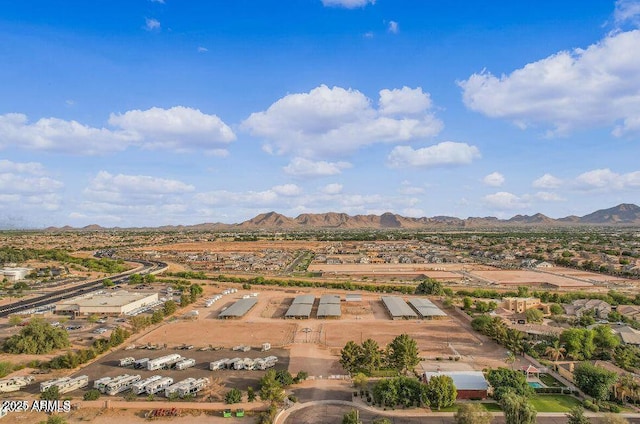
[{"x": 442, "y": 154}]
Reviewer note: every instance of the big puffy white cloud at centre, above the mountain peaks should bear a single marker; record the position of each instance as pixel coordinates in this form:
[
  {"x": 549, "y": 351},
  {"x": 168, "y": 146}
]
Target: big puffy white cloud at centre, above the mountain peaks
[{"x": 334, "y": 121}]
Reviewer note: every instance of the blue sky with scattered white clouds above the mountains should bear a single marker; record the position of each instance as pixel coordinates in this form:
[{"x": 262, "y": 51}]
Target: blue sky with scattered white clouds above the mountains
[{"x": 146, "y": 113}]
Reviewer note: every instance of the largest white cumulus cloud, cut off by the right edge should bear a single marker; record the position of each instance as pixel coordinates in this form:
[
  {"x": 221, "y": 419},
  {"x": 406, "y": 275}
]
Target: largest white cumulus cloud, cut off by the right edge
[{"x": 596, "y": 86}]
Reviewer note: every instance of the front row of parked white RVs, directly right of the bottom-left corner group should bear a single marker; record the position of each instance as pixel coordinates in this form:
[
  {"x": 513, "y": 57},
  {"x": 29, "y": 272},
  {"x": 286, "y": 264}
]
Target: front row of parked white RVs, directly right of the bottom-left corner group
[{"x": 152, "y": 385}]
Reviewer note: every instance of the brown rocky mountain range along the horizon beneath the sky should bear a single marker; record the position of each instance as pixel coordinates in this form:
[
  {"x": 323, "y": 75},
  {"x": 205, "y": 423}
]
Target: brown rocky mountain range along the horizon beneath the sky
[{"x": 622, "y": 215}]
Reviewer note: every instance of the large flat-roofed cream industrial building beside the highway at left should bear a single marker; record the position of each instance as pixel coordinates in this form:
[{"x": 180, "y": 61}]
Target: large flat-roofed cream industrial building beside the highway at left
[{"x": 116, "y": 303}]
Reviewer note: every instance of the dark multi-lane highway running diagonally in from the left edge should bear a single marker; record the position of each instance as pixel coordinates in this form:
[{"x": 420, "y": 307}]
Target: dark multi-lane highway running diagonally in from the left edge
[{"x": 80, "y": 289}]
